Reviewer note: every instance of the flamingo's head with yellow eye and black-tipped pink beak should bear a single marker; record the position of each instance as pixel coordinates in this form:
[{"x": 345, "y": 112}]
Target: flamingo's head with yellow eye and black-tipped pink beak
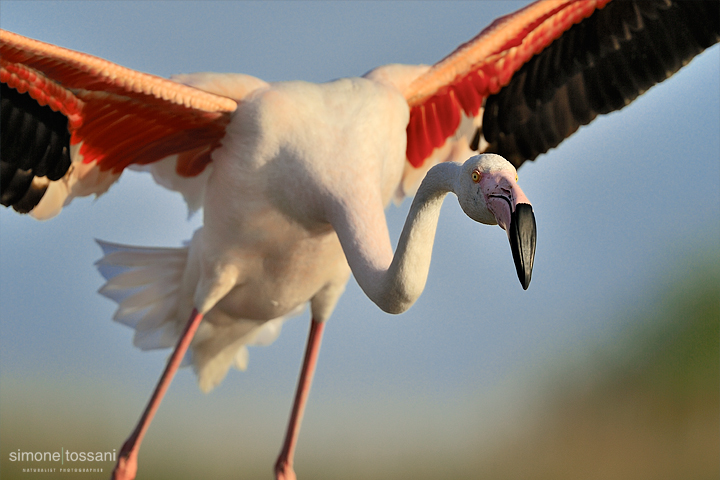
[{"x": 488, "y": 193}]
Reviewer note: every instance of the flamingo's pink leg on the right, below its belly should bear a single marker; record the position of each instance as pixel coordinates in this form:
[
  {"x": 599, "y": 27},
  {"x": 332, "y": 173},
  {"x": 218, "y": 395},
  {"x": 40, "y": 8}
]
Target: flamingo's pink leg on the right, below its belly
[{"x": 283, "y": 466}]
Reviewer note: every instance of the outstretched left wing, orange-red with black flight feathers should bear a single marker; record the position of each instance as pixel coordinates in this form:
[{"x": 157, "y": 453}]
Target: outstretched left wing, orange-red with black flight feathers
[{"x": 72, "y": 122}]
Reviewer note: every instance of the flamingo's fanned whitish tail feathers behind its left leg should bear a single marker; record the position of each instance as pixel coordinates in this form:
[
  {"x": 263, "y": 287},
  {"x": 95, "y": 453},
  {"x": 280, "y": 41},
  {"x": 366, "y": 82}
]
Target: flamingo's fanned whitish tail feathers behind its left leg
[{"x": 146, "y": 283}]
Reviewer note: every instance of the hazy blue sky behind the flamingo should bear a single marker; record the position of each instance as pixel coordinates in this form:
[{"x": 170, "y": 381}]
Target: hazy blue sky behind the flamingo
[{"x": 625, "y": 199}]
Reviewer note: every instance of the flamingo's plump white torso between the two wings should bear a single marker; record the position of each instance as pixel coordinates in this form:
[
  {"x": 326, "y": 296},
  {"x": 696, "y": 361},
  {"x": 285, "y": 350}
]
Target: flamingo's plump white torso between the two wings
[{"x": 267, "y": 246}]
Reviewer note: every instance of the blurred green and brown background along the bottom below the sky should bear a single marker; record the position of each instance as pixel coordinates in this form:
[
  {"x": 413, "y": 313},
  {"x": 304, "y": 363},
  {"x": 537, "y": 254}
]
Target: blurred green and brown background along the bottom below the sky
[{"x": 642, "y": 402}]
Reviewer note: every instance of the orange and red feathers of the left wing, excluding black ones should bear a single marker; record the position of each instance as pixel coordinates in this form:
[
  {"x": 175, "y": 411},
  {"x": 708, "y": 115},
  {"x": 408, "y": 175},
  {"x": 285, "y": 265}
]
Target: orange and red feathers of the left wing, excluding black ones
[{"x": 121, "y": 116}]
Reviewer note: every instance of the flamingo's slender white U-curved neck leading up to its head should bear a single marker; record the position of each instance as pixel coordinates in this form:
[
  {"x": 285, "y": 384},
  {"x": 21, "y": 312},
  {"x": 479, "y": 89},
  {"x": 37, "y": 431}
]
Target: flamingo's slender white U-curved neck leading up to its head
[{"x": 399, "y": 286}]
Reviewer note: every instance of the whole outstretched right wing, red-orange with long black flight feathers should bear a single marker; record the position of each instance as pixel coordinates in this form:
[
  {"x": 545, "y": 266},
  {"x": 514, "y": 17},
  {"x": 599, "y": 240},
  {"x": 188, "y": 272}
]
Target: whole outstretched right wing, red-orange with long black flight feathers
[{"x": 531, "y": 78}]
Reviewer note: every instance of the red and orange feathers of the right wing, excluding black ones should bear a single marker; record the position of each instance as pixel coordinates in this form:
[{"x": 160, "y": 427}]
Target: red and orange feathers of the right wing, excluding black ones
[{"x": 481, "y": 67}]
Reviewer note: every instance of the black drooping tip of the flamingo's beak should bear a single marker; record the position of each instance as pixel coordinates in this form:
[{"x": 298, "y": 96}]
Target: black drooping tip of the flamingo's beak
[{"x": 523, "y": 236}]
